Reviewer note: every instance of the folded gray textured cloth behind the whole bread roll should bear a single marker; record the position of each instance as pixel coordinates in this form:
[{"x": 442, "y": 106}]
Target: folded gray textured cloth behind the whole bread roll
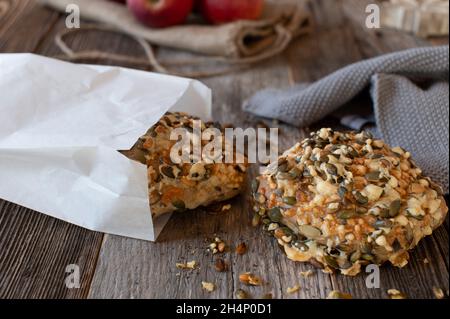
[{"x": 406, "y": 114}]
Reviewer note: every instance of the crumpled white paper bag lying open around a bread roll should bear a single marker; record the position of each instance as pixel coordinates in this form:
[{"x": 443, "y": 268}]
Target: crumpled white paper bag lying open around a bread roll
[{"x": 61, "y": 126}]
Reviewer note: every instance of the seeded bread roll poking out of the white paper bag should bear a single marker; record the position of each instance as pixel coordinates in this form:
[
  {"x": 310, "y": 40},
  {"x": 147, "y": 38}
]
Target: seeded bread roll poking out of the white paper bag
[{"x": 177, "y": 187}]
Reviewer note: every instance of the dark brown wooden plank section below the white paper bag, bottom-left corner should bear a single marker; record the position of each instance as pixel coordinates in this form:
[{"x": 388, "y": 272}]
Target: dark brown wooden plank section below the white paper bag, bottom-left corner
[{"x": 35, "y": 251}]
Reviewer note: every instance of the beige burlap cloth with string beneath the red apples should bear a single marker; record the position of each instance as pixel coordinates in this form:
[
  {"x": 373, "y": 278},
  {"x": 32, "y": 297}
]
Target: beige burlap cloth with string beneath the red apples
[{"x": 234, "y": 45}]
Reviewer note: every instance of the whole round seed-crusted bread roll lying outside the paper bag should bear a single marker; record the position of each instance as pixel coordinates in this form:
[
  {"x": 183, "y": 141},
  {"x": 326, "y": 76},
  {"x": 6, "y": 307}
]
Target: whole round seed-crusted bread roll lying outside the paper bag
[{"x": 343, "y": 200}]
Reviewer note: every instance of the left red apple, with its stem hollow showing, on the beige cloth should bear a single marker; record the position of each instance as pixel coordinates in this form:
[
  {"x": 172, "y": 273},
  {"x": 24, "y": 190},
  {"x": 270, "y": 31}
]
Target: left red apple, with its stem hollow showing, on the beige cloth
[{"x": 161, "y": 13}]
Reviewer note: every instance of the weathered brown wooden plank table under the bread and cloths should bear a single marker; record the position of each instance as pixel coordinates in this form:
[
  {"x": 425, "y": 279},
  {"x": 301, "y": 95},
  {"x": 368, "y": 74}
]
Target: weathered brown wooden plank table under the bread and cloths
[{"x": 35, "y": 249}]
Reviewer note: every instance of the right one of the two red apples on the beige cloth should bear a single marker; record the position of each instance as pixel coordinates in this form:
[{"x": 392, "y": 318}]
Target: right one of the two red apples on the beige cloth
[{"x": 221, "y": 11}]
